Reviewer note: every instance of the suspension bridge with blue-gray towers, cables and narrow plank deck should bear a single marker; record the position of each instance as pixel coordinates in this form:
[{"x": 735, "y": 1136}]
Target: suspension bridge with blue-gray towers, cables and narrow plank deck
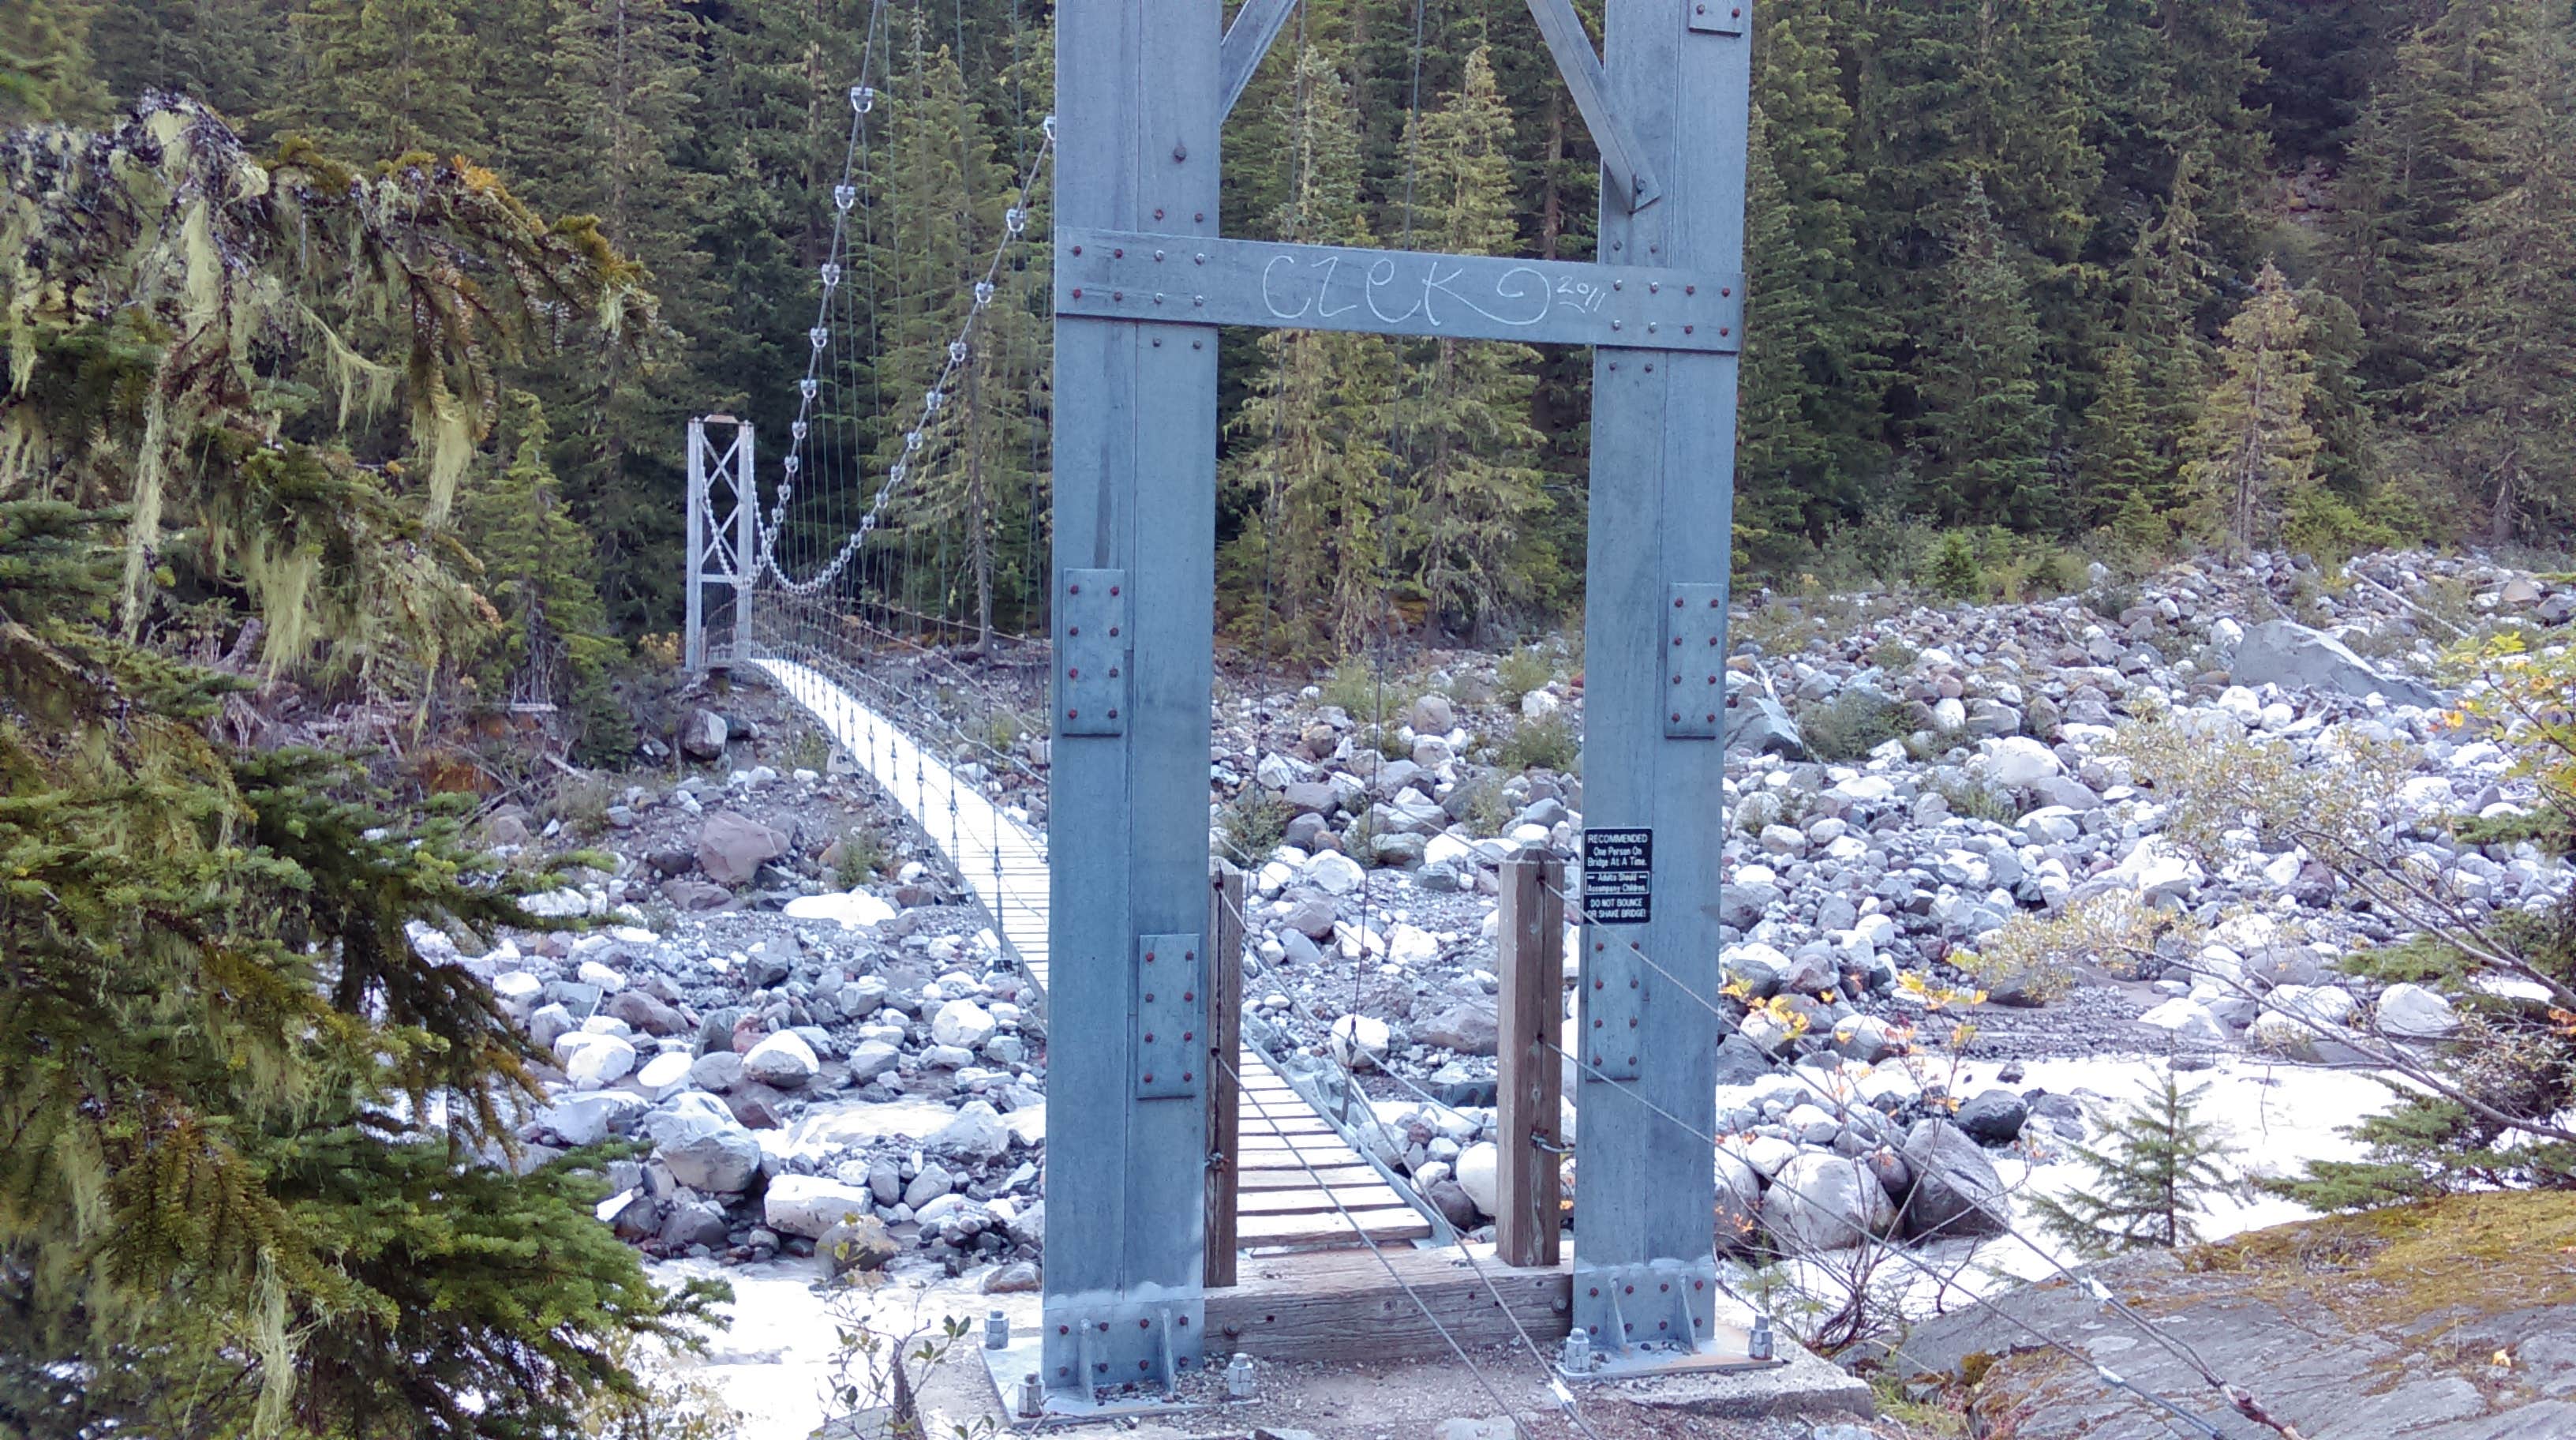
[{"x": 859, "y": 573}]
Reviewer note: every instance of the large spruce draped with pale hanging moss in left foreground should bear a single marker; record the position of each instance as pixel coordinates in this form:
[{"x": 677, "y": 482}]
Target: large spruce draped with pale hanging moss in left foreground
[{"x": 228, "y": 1207}]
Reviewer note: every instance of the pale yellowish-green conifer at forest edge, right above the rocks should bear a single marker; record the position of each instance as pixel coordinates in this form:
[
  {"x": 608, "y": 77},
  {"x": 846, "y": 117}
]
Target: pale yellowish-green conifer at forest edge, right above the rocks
[{"x": 2253, "y": 455}]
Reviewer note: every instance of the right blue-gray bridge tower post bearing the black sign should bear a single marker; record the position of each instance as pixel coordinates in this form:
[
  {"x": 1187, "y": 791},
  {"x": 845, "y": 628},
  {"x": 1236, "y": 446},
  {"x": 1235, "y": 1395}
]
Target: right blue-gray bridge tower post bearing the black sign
[{"x": 1663, "y": 506}]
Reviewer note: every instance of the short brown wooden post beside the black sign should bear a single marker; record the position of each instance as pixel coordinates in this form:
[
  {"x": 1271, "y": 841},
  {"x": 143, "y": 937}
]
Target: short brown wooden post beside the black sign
[{"x": 1531, "y": 962}]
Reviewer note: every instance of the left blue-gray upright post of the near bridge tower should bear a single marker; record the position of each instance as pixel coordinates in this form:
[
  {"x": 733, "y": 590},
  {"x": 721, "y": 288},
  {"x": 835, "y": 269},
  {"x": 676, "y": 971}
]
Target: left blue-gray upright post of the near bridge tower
[{"x": 1135, "y": 426}]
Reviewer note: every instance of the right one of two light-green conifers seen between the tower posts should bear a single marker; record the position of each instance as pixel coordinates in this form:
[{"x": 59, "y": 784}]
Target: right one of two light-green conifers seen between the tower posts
[{"x": 1464, "y": 424}]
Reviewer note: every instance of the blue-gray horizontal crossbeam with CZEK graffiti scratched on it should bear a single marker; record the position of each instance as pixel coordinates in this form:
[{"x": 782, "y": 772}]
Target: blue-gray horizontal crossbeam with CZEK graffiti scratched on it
[{"x": 1184, "y": 279}]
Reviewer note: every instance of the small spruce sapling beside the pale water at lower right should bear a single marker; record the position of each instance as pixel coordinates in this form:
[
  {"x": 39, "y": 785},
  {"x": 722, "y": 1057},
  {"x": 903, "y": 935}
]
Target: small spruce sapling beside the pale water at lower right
[{"x": 2150, "y": 1181}]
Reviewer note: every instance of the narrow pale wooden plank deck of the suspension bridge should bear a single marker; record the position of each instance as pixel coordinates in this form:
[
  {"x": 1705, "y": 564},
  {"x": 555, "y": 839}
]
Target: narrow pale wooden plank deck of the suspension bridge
[{"x": 1297, "y": 1173}]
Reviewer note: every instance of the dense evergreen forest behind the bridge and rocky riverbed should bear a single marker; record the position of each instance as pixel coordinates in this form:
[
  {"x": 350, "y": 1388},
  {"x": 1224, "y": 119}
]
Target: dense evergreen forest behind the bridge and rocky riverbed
[{"x": 2116, "y": 277}]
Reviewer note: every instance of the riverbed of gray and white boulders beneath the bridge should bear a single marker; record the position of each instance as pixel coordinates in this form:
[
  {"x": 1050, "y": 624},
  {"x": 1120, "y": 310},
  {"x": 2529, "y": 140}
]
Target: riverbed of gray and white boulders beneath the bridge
[{"x": 823, "y": 1045}]
